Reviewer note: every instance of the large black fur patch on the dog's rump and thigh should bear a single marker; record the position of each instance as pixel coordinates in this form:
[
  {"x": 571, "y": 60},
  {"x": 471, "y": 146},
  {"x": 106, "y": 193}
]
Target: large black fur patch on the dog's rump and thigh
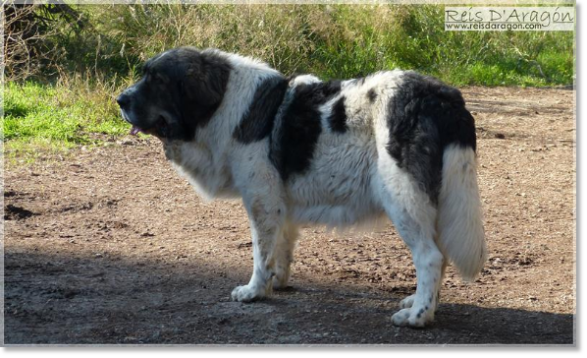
[{"x": 425, "y": 116}]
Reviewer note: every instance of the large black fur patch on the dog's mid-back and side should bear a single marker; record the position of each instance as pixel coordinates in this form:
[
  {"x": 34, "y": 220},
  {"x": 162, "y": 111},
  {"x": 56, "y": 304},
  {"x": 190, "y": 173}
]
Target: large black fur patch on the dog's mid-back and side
[{"x": 293, "y": 144}]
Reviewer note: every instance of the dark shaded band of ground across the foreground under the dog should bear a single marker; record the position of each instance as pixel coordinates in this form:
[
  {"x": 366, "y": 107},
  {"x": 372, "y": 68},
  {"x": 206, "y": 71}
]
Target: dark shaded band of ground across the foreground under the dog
[{"x": 63, "y": 299}]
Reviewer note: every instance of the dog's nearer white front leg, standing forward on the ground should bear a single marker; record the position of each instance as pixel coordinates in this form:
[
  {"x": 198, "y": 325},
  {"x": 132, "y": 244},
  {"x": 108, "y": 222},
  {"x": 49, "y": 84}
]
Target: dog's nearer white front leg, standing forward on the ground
[{"x": 266, "y": 214}]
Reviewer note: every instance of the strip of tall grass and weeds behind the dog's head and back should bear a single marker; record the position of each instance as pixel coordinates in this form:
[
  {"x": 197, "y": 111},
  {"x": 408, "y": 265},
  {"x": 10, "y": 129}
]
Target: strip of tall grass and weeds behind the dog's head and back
[{"x": 331, "y": 41}]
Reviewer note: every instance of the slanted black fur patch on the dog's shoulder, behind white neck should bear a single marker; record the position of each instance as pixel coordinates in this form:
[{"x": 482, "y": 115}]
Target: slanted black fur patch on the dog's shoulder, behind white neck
[{"x": 257, "y": 123}]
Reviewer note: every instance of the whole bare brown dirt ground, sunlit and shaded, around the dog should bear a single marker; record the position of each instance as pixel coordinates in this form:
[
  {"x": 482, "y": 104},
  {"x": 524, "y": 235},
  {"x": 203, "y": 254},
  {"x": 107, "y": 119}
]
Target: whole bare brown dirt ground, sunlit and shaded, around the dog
[{"x": 109, "y": 245}]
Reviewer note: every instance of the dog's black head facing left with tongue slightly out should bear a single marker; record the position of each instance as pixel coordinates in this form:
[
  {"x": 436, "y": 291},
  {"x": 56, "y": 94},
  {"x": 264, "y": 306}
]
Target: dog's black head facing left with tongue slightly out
[{"x": 179, "y": 91}]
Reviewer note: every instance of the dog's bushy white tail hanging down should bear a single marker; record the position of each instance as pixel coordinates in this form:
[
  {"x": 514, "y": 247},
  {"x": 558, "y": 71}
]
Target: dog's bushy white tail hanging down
[{"x": 461, "y": 236}]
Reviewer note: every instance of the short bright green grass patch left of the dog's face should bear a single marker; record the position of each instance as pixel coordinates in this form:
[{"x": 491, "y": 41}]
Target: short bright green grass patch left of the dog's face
[{"x": 52, "y": 118}]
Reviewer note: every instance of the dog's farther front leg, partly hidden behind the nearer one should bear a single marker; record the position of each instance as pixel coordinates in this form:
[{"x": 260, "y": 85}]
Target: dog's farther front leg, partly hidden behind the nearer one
[{"x": 283, "y": 255}]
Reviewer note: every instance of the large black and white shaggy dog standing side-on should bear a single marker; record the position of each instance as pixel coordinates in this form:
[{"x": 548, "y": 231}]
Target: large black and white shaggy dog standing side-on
[{"x": 299, "y": 150}]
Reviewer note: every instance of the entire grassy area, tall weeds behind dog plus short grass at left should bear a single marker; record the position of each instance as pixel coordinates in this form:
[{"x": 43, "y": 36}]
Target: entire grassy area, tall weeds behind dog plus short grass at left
[{"x": 71, "y": 101}]
